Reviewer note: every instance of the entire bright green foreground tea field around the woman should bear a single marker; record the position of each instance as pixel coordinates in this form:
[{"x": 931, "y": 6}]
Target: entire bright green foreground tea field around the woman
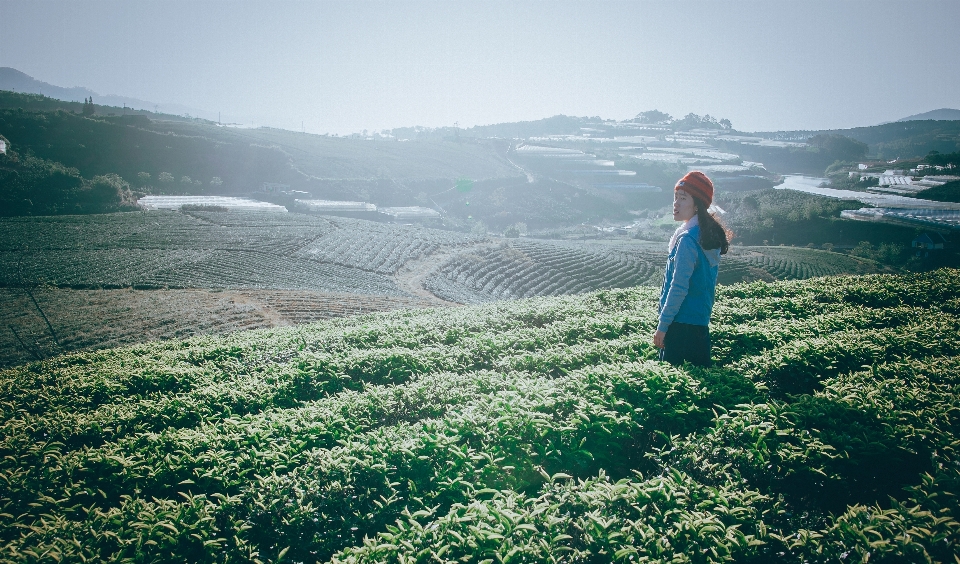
[{"x": 534, "y": 430}]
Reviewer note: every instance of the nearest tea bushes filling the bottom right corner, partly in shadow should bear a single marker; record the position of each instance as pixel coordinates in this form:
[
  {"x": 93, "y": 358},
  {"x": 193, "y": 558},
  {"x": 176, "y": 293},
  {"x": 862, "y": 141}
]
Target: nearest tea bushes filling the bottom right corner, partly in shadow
[{"x": 740, "y": 490}]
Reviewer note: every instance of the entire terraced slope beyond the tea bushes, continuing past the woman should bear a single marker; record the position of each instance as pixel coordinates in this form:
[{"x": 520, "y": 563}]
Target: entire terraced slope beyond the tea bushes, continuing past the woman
[{"x": 82, "y": 282}]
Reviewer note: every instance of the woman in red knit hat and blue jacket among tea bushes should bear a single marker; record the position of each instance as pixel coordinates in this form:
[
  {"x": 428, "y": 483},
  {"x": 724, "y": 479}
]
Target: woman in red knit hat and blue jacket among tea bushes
[{"x": 690, "y": 281}]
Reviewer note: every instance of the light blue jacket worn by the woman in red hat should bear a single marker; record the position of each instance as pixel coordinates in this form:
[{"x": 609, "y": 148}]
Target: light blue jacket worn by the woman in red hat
[{"x": 689, "y": 283}]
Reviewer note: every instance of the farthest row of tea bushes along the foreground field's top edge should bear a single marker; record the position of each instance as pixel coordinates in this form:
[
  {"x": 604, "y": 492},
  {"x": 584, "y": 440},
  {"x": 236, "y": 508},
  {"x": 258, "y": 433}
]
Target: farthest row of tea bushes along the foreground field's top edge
[{"x": 500, "y": 335}]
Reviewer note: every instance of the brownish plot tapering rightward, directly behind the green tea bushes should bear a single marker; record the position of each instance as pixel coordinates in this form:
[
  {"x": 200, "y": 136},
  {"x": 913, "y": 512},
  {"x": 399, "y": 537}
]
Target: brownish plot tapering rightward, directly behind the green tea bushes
[{"x": 97, "y": 319}]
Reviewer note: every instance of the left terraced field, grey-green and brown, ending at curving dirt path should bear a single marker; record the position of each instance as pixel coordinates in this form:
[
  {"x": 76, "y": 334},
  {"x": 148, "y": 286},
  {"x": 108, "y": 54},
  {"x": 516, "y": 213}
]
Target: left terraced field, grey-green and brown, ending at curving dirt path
[{"x": 106, "y": 280}]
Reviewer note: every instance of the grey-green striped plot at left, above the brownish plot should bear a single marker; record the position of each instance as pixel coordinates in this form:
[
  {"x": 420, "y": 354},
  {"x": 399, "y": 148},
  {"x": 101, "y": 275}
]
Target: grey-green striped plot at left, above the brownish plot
[{"x": 208, "y": 250}]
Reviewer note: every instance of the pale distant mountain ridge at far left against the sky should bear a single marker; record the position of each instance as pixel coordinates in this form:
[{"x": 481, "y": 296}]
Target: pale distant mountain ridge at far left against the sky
[{"x": 12, "y": 79}]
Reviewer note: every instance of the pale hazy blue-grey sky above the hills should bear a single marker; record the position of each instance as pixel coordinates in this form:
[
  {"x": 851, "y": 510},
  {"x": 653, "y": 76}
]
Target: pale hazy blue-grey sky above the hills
[{"x": 344, "y": 66}]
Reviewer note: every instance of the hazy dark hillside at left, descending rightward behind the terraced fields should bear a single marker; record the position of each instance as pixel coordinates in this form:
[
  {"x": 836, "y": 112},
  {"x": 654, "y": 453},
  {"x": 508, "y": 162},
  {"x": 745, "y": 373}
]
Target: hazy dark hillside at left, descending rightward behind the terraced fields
[{"x": 242, "y": 158}]
